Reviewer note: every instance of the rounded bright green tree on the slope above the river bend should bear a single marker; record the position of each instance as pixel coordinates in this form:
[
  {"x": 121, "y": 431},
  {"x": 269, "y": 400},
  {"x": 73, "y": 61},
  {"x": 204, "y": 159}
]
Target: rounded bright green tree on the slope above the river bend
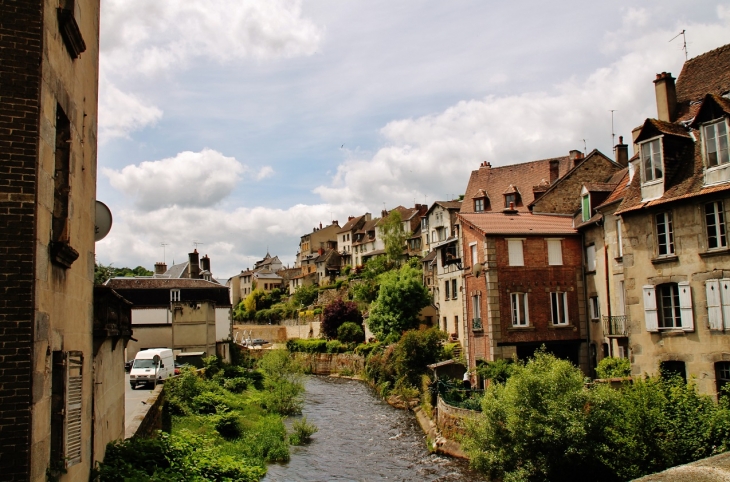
[{"x": 400, "y": 299}]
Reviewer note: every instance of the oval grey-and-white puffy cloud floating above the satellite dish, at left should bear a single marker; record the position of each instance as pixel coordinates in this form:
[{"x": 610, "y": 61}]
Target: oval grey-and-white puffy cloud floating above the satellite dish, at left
[{"x": 188, "y": 179}]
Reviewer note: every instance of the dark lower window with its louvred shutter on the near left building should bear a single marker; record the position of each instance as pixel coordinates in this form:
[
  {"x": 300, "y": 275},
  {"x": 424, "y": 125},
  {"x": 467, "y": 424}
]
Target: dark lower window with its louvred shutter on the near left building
[{"x": 66, "y": 407}]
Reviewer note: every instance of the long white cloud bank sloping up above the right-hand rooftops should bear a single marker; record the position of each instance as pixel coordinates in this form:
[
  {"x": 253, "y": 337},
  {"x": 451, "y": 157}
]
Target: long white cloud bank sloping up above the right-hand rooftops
[{"x": 432, "y": 155}]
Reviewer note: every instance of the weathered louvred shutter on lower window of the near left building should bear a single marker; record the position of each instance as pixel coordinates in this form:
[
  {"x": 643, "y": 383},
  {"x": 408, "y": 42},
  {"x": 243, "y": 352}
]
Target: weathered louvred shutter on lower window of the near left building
[{"x": 74, "y": 386}]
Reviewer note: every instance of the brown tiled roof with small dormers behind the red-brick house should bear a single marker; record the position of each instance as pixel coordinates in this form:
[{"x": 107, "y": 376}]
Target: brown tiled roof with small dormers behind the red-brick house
[{"x": 522, "y": 177}]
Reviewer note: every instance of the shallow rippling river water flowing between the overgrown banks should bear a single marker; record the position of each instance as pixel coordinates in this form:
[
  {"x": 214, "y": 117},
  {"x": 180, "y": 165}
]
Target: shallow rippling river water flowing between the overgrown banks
[{"x": 362, "y": 438}]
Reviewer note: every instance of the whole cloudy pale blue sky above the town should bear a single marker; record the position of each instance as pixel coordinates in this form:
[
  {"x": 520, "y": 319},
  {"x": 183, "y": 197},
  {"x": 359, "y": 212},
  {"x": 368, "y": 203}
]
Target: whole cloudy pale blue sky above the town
[{"x": 240, "y": 125}]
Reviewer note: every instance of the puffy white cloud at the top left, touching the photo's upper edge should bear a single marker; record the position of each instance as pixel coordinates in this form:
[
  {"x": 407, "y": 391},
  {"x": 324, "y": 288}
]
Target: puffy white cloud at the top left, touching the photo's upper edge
[{"x": 149, "y": 37}]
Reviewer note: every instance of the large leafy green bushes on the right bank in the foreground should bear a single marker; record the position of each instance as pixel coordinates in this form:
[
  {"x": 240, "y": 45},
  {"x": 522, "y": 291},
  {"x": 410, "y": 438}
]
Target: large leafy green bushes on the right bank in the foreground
[{"x": 544, "y": 423}]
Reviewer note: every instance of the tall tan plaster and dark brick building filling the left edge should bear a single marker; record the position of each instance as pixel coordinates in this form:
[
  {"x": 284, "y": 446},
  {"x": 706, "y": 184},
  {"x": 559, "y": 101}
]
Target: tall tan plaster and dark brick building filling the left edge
[{"x": 61, "y": 344}]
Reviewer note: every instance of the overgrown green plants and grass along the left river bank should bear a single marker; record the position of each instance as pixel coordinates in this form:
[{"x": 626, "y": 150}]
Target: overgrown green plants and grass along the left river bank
[{"x": 226, "y": 425}]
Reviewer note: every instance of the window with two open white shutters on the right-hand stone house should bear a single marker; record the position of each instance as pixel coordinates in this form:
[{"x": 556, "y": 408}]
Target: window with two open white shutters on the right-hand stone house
[{"x": 668, "y": 306}]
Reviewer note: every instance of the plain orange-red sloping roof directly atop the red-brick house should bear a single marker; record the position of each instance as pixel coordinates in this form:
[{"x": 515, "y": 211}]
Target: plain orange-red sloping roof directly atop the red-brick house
[{"x": 521, "y": 223}]
